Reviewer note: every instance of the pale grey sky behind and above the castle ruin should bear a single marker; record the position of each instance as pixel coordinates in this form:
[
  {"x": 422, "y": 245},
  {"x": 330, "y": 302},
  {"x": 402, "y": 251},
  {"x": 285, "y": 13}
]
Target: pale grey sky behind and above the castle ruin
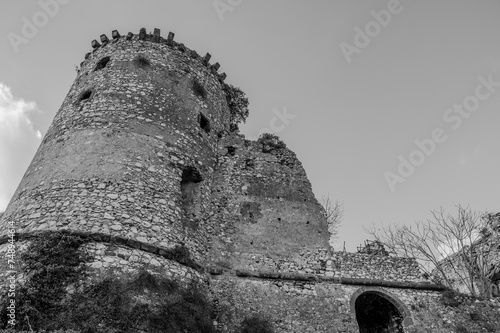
[{"x": 391, "y": 106}]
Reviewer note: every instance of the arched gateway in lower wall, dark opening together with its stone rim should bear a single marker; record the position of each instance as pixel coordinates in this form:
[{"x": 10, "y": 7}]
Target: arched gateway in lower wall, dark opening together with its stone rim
[{"x": 378, "y": 311}]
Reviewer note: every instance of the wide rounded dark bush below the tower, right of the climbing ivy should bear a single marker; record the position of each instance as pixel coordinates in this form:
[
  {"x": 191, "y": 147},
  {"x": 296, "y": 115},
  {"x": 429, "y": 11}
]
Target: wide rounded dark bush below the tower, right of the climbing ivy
[{"x": 119, "y": 305}]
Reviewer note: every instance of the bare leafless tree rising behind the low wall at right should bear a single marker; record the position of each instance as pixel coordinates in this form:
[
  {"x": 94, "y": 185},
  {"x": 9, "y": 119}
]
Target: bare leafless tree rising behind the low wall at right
[{"x": 446, "y": 246}]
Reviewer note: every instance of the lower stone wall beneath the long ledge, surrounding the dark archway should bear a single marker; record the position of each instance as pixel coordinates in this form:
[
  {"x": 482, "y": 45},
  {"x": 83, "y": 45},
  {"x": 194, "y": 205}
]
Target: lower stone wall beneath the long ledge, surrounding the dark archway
[{"x": 298, "y": 306}]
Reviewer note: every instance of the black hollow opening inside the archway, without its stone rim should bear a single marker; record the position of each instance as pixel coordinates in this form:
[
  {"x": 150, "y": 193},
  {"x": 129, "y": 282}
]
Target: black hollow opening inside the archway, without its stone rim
[{"x": 375, "y": 314}]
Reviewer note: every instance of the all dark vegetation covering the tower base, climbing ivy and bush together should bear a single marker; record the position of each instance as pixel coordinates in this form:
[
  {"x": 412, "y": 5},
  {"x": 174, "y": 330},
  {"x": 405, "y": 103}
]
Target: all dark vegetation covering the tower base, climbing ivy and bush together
[{"x": 57, "y": 295}]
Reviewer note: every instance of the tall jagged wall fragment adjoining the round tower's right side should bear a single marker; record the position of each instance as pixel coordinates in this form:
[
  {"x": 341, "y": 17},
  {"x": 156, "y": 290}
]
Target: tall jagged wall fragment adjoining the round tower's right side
[{"x": 265, "y": 205}]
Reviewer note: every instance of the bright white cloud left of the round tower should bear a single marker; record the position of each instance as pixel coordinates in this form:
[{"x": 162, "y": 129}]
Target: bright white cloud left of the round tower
[{"x": 18, "y": 141}]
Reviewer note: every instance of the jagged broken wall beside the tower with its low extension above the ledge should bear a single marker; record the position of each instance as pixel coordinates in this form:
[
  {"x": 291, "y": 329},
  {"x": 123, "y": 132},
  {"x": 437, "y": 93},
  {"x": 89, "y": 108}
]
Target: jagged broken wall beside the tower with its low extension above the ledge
[{"x": 270, "y": 221}]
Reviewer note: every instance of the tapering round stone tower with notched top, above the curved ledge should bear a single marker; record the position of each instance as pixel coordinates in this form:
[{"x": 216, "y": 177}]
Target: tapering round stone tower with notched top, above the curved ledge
[{"x": 130, "y": 153}]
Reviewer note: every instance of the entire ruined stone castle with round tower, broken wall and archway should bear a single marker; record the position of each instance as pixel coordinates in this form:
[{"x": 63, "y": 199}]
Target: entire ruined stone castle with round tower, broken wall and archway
[{"x": 142, "y": 159}]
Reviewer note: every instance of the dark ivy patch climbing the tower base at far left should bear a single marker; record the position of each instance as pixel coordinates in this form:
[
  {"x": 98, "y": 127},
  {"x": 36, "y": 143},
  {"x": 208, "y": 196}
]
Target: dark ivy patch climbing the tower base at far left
[{"x": 51, "y": 263}]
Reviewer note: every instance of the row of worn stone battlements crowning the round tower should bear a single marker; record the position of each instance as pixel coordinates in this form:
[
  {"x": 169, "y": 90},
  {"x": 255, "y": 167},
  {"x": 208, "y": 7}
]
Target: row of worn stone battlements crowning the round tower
[{"x": 156, "y": 37}]
